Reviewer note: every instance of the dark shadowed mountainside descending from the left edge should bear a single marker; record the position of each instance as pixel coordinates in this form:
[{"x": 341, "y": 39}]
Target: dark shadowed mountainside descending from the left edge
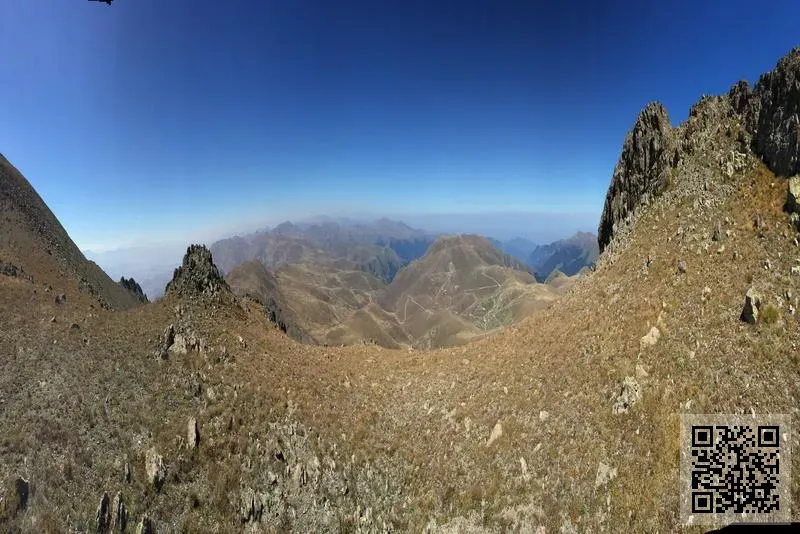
[{"x": 33, "y": 241}]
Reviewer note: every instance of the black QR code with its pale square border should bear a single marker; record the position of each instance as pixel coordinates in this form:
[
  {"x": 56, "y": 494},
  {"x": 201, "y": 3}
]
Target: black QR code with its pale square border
[{"x": 735, "y": 469}]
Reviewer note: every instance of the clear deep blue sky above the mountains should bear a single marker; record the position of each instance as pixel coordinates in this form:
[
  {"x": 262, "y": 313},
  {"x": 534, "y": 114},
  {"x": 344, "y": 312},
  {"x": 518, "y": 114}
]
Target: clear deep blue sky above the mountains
[{"x": 152, "y": 117}]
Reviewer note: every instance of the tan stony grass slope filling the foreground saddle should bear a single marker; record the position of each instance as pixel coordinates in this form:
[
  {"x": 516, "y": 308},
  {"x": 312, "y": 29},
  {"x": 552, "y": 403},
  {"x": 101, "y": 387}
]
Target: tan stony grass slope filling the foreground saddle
[{"x": 409, "y": 431}]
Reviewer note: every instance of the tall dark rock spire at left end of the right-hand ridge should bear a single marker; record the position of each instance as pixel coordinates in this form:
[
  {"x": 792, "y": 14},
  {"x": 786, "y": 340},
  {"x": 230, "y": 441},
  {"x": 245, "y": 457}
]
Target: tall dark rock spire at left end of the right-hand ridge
[{"x": 643, "y": 170}]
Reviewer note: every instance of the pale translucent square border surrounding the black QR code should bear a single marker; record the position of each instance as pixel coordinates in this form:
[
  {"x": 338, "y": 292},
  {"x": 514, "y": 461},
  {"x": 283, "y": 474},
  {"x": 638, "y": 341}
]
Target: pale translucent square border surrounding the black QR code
[{"x": 783, "y": 490}]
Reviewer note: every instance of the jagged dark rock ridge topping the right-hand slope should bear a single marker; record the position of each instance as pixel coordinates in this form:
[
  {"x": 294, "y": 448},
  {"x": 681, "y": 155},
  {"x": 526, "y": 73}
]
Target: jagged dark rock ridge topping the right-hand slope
[{"x": 764, "y": 121}]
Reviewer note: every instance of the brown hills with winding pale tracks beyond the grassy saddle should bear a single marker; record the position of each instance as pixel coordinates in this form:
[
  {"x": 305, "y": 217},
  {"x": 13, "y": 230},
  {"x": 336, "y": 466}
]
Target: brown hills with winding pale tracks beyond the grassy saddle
[{"x": 460, "y": 289}]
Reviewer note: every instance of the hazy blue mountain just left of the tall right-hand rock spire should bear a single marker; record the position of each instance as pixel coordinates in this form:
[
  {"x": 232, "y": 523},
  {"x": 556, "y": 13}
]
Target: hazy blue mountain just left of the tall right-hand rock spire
[{"x": 568, "y": 256}]
